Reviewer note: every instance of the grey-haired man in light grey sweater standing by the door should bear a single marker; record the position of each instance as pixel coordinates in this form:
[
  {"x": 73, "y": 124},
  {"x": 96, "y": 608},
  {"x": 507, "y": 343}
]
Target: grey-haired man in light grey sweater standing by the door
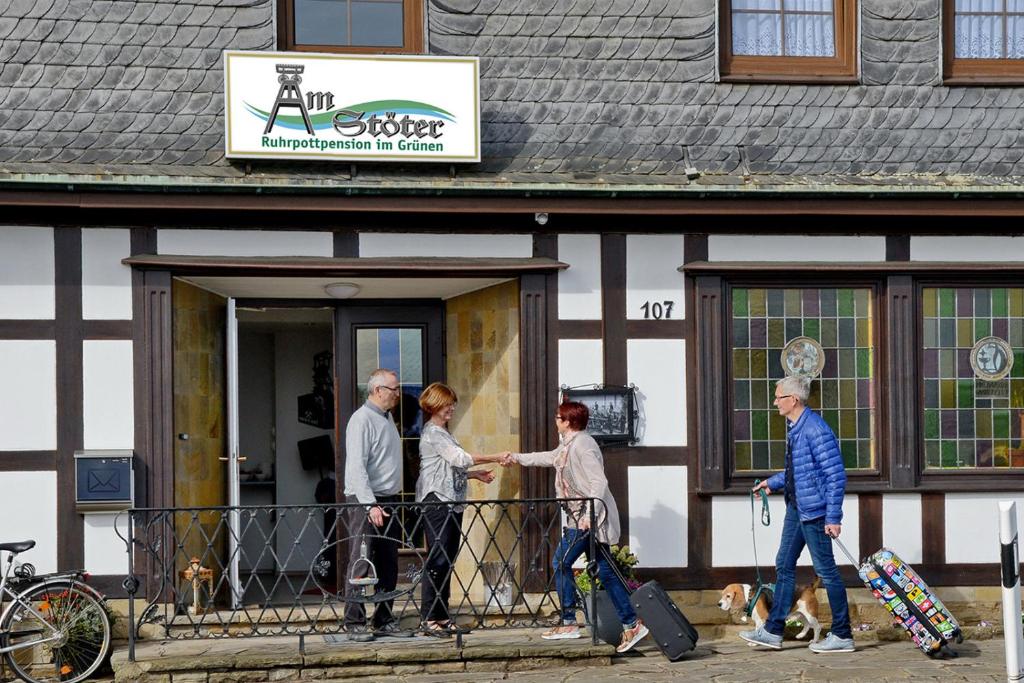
[{"x": 373, "y": 479}]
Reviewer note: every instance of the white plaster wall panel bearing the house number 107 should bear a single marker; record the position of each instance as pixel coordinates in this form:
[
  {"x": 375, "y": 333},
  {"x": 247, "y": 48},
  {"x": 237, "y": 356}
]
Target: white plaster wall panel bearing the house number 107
[{"x": 653, "y": 275}]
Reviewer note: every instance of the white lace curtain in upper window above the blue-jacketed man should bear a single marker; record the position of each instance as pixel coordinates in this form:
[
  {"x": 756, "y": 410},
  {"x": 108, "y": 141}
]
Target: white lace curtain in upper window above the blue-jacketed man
[{"x": 784, "y": 28}]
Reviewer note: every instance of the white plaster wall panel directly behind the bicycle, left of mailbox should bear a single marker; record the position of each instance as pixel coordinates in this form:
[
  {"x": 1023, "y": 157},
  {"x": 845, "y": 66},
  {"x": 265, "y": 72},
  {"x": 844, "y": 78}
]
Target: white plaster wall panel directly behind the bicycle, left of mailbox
[{"x": 29, "y": 511}]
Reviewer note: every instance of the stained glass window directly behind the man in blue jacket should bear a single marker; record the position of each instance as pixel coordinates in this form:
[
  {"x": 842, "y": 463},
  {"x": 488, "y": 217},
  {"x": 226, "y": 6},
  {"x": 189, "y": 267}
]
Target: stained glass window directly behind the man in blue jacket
[{"x": 842, "y": 321}]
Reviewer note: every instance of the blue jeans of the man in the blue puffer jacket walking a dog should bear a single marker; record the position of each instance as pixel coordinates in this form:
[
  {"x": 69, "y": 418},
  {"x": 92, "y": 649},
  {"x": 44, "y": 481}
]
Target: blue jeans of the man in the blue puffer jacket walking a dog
[{"x": 795, "y": 536}]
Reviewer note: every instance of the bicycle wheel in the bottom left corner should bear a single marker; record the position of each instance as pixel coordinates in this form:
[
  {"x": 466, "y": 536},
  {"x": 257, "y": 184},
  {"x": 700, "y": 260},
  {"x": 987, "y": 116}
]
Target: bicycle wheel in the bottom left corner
[{"x": 64, "y": 631}]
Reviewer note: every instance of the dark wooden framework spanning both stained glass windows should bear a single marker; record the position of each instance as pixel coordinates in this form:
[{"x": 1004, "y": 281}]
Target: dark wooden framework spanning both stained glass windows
[{"x": 900, "y": 337}]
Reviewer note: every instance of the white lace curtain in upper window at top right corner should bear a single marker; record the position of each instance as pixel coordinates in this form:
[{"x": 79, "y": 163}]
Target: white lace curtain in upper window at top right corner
[{"x": 989, "y": 29}]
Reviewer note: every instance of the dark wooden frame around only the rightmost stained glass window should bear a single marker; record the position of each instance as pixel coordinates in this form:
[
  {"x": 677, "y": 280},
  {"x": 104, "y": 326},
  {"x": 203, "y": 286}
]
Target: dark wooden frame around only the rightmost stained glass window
[{"x": 967, "y": 479}]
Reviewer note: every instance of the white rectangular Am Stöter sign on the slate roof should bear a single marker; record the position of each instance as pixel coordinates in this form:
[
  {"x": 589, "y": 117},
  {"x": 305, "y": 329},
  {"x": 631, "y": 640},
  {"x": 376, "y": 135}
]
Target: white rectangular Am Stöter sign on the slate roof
[{"x": 352, "y": 108}]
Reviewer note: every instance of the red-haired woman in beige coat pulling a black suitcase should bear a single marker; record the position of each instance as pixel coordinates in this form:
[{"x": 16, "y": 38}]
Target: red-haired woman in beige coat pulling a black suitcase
[{"x": 580, "y": 474}]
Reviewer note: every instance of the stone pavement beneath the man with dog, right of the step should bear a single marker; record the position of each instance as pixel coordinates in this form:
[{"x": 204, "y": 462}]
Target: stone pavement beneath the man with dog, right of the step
[{"x": 735, "y": 662}]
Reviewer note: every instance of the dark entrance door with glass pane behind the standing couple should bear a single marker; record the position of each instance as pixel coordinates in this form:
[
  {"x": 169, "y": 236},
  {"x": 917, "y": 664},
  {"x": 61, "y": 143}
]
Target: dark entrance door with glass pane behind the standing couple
[{"x": 409, "y": 340}]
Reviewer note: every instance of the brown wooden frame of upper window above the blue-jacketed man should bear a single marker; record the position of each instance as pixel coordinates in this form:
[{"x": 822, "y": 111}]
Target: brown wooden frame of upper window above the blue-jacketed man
[{"x": 840, "y": 69}]
